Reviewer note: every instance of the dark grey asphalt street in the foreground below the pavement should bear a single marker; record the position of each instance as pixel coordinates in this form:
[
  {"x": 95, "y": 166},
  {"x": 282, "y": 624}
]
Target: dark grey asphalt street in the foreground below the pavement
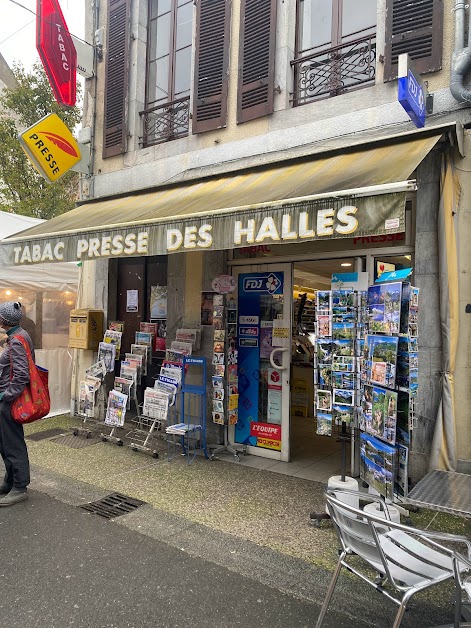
[{"x": 61, "y": 566}]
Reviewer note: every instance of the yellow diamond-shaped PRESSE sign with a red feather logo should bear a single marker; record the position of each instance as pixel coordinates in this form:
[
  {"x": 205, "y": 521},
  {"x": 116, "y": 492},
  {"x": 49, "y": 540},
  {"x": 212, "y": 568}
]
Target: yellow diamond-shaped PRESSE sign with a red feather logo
[{"x": 51, "y": 147}]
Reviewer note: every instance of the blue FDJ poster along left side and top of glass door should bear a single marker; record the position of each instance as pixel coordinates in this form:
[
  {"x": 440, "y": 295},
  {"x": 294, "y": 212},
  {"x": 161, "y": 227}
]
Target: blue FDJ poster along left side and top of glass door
[{"x": 251, "y": 287}]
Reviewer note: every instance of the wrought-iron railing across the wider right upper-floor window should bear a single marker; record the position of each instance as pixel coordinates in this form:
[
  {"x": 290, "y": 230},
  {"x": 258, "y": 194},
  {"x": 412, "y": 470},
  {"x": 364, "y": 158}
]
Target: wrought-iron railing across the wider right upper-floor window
[{"x": 335, "y": 71}]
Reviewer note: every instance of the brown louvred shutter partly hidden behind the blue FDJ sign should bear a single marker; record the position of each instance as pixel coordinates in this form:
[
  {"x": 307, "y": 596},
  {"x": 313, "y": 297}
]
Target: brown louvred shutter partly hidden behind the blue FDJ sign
[{"x": 415, "y": 27}]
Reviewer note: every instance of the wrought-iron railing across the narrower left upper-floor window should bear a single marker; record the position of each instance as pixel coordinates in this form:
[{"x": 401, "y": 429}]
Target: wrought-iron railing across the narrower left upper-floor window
[{"x": 165, "y": 122}]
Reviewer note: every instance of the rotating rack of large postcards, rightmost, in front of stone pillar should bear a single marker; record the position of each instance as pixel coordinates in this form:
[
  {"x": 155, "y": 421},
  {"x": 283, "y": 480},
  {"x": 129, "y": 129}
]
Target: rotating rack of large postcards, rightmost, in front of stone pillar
[{"x": 389, "y": 379}]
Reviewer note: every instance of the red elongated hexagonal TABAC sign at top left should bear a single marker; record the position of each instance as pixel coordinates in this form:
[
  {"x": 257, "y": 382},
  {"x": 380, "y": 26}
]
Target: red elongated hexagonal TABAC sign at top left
[{"x": 57, "y": 51}]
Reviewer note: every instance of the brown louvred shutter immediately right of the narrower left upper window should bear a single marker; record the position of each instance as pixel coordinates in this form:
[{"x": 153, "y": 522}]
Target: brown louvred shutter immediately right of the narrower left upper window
[{"x": 213, "y": 27}]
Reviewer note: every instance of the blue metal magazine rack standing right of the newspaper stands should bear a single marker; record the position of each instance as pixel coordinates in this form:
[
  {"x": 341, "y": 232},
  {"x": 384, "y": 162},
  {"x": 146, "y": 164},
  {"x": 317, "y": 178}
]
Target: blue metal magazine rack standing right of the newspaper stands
[{"x": 186, "y": 429}]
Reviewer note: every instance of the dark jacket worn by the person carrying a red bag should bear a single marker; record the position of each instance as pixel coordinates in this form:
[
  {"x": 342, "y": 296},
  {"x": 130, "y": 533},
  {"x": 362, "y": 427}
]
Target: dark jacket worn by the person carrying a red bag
[{"x": 12, "y": 388}]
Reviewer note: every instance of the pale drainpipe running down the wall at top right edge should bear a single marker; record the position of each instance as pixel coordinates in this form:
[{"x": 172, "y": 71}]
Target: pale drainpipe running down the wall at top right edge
[{"x": 461, "y": 60}]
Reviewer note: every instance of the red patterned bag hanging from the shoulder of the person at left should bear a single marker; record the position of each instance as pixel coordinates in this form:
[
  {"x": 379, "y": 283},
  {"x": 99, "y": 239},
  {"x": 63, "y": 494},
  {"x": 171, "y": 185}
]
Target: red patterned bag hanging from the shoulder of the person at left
[{"x": 34, "y": 402}]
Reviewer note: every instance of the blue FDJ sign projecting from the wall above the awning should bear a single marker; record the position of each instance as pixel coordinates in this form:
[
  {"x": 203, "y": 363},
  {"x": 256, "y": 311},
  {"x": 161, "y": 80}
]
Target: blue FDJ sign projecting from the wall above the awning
[{"x": 411, "y": 91}]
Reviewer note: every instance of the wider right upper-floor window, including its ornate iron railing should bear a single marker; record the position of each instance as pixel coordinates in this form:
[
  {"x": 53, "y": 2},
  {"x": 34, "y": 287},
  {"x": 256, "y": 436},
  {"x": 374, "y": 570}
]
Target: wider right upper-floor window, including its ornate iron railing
[{"x": 335, "y": 48}]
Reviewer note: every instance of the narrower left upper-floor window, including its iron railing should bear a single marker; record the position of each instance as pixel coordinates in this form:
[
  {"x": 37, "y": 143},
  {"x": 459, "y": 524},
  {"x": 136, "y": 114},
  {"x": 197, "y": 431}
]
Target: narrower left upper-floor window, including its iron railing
[{"x": 168, "y": 78}]
